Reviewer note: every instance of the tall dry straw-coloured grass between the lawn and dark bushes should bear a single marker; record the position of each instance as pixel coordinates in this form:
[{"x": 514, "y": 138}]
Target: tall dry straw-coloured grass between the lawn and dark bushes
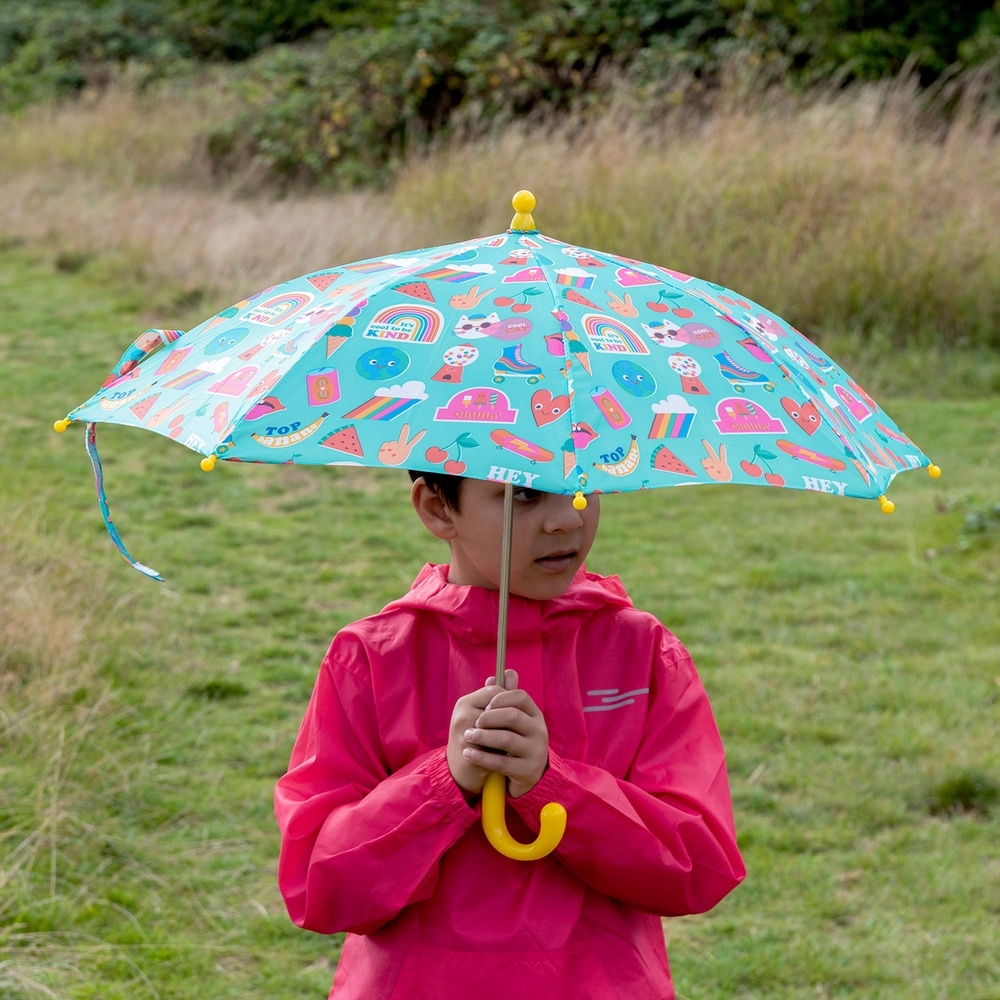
[{"x": 844, "y": 211}]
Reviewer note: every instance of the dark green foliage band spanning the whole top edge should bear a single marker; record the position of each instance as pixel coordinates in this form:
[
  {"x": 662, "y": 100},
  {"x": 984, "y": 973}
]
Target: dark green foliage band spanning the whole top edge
[{"x": 337, "y": 89}]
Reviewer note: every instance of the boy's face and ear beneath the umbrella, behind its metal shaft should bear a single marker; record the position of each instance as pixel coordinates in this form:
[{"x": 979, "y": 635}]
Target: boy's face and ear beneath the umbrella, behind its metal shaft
[{"x": 551, "y": 539}]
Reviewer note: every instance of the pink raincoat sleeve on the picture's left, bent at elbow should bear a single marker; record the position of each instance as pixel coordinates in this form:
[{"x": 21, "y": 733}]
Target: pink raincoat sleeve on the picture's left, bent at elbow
[{"x": 357, "y": 843}]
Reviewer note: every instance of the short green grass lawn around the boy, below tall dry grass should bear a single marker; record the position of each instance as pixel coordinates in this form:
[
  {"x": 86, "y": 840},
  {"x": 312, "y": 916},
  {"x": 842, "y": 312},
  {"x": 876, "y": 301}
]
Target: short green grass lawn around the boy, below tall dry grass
[{"x": 851, "y": 659}]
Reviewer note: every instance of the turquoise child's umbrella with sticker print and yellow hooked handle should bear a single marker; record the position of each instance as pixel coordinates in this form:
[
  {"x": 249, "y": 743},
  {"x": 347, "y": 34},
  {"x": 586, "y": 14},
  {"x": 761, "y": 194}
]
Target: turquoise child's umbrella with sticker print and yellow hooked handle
[{"x": 515, "y": 358}]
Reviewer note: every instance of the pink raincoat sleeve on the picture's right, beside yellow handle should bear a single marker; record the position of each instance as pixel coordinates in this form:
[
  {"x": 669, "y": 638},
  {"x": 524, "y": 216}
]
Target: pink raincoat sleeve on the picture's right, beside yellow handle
[{"x": 662, "y": 838}]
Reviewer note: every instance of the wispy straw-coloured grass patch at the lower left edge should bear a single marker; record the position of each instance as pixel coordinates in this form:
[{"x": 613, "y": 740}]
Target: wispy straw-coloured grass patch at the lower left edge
[{"x": 66, "y": 757}]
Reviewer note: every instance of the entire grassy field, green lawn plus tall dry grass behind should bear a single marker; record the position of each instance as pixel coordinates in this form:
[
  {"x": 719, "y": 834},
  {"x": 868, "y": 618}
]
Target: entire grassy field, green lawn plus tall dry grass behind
[{"x": 851, "y": 658}]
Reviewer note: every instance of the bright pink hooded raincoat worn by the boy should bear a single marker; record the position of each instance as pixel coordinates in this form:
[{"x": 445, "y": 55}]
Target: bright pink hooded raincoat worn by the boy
[{"x": 379, "y": 841}]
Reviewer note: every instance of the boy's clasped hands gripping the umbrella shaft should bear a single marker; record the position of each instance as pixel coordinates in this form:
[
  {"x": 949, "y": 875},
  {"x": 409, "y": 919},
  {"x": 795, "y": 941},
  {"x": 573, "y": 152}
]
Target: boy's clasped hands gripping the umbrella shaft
[{"x": 514, "y": 724}]
